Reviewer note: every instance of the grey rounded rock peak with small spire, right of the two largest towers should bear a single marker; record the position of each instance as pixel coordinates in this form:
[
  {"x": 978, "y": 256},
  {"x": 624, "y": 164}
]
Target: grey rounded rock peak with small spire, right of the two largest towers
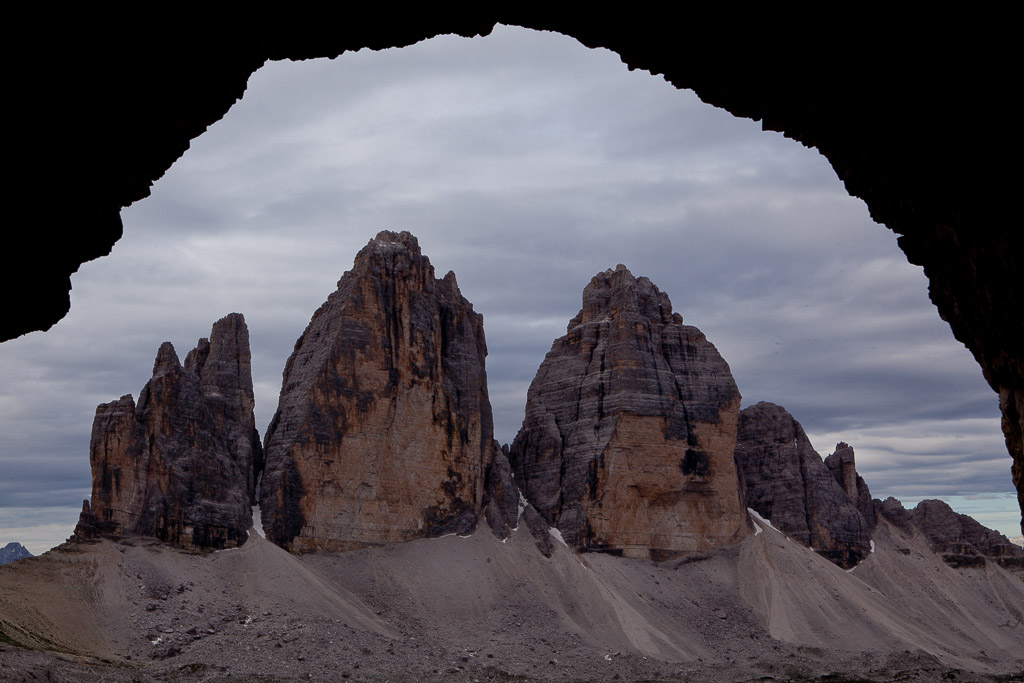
[{"x": 788, "y": 484}]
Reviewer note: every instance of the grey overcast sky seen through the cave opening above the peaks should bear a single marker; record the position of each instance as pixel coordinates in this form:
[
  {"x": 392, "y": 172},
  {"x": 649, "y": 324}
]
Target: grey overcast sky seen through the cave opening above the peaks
[{"x": 527, "y": 164}]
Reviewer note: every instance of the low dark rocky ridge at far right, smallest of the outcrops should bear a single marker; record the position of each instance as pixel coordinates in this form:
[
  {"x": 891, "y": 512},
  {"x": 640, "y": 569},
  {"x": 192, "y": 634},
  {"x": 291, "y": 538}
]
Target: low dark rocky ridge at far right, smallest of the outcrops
[{"x": 961, "y": 540}]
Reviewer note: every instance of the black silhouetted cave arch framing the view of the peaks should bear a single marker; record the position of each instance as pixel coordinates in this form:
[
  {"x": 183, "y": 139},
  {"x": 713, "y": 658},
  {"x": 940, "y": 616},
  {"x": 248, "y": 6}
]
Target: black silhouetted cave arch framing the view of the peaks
[{"x": 915, "y": 115}]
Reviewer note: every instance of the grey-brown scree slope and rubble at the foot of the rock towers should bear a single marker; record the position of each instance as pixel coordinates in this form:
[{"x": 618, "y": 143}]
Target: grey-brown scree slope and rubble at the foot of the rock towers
[{"x": 479, "y": 610}]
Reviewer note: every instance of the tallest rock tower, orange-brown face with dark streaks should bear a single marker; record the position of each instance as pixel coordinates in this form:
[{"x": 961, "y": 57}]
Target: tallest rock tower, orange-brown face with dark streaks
[{"x": 383, "y": 433}]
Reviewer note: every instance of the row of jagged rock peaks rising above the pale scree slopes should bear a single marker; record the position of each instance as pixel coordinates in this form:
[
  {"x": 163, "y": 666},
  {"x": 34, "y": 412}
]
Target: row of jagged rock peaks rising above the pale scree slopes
[{"x": 633, "y": 442}]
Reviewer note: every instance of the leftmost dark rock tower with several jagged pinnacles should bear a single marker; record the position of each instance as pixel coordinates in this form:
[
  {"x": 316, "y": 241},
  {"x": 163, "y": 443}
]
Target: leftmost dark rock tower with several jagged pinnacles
[{"x": 180, "y": 466}]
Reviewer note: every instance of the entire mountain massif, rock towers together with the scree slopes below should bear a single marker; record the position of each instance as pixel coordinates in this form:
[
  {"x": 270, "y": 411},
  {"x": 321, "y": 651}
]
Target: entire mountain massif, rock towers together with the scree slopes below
[{"x": 668, "y": 534}]
